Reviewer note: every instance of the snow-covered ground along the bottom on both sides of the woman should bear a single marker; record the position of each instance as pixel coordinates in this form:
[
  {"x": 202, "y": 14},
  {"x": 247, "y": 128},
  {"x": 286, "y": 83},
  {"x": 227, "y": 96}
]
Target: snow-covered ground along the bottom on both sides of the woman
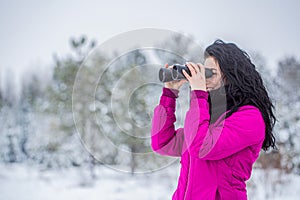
[{"x": 21, "y": 182}]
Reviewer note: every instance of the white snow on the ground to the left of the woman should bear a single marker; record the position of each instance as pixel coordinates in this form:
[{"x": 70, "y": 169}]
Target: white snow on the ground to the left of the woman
[{"x": 29, "y": 183}]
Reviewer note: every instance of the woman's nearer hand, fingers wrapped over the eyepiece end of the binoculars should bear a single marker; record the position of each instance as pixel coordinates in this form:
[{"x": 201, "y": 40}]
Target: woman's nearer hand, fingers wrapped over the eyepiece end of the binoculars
[{"x": 197, "y": 78}]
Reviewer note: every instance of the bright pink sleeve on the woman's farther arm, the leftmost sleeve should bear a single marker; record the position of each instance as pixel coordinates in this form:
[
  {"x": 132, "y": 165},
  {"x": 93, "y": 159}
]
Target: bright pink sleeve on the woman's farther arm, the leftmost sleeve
[{"x": 165, "y": 140}]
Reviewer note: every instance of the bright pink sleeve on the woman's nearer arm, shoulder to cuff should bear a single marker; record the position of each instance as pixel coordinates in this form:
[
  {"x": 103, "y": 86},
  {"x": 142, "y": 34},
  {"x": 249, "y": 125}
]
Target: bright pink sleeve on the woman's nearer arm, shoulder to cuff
[{"x": 225, "y": 137}]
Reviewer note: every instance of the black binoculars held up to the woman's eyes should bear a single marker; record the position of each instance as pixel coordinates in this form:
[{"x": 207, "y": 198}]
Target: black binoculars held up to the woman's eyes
[{"x": 175, "y": 73}]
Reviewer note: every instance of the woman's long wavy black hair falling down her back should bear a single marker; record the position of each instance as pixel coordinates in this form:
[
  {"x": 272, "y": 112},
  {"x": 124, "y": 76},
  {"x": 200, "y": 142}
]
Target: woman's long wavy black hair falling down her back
[{"x": 244, "y": 84}]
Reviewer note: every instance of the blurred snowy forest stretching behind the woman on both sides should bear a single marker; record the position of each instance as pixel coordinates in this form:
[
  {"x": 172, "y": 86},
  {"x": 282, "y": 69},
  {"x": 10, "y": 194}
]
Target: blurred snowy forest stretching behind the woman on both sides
[{"x": 94, "y": 114}]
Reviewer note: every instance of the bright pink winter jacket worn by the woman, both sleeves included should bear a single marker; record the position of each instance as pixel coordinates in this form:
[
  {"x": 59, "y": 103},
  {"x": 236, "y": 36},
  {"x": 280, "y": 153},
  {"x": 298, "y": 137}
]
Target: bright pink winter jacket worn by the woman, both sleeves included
[{"x": 216, "y": 159}]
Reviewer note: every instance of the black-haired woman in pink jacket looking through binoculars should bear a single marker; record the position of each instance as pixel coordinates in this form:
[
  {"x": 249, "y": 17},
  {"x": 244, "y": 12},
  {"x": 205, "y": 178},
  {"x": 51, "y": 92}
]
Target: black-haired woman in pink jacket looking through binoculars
[{"x": 229, "y": 121}]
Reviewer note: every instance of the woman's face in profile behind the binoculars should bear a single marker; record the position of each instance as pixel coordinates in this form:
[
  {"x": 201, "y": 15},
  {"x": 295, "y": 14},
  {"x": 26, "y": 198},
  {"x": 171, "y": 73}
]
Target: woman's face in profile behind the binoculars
[{"x": 215, "y": 81}]
